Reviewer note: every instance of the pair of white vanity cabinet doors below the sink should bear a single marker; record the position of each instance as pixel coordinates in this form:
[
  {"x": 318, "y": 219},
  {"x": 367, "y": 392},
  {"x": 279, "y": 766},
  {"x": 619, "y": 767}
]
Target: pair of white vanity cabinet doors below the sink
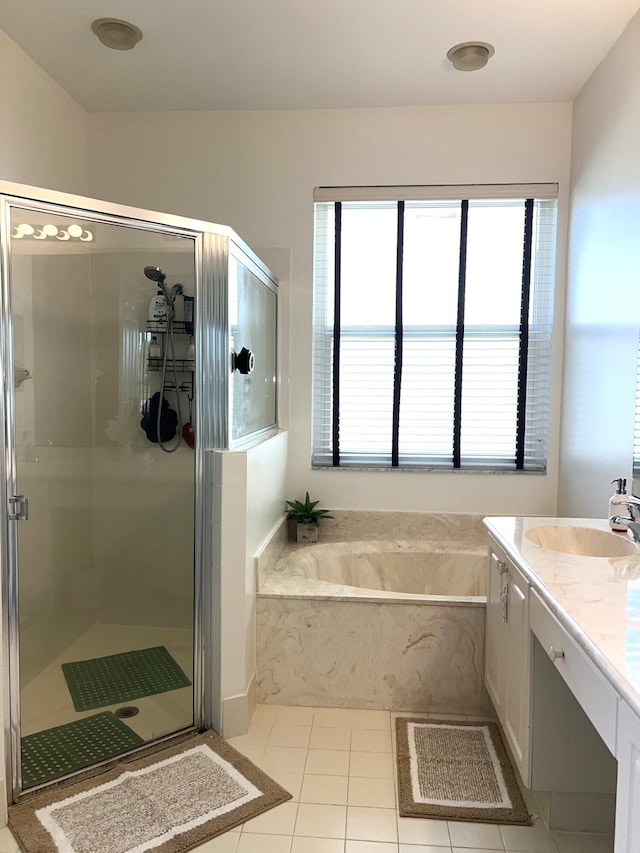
[{"x": 508, "y": 655}]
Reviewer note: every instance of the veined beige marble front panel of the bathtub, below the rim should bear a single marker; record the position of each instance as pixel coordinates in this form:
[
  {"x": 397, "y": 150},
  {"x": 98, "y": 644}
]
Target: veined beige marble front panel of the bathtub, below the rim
[{"x": 365, "y": 654}]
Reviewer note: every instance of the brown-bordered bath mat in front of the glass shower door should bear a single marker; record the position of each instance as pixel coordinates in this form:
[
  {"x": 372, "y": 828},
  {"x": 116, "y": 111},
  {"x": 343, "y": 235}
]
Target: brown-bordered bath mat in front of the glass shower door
[{"x": 168, "y": 802}]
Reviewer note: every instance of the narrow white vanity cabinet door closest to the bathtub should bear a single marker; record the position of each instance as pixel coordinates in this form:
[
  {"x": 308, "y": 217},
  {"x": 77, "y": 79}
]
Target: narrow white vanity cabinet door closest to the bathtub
[{"x": 495, "y": 633}]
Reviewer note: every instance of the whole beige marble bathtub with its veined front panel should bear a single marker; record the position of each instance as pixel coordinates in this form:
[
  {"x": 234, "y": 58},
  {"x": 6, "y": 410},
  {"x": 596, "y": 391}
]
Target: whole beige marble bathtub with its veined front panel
[{"x": 382, "y": 624}]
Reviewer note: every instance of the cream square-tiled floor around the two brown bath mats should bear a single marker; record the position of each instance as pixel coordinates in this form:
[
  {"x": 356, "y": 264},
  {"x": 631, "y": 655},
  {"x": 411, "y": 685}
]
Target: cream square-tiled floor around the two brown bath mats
[{"x": 339, "y": 766}]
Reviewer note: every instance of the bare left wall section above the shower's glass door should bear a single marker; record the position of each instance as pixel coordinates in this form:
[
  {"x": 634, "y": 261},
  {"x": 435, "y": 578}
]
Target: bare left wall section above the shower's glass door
[{"x": 44, "y": 131}]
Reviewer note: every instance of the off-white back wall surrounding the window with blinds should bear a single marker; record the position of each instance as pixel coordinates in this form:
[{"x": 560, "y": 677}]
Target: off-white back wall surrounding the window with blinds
[{"x": 256, "y": 172}]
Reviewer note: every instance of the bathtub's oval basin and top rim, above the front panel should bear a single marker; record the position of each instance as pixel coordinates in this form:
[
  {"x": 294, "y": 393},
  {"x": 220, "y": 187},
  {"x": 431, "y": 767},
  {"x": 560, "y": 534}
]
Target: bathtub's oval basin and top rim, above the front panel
[{"x": 373, "y": 570}]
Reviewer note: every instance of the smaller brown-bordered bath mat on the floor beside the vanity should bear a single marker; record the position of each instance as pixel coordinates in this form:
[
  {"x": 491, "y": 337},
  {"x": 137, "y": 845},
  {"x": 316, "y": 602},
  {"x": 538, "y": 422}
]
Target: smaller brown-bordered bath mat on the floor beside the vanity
[{"x": 456, "y": 771}]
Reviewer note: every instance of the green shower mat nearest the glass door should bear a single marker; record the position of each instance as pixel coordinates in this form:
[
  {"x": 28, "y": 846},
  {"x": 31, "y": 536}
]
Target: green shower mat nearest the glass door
[{"x": 64, "y": 749}]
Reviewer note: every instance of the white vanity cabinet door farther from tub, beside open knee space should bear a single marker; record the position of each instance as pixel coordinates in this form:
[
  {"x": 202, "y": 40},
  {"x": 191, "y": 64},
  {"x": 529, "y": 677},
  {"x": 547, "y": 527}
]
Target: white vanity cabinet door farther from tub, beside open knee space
[{"x": 517, "y": 712}]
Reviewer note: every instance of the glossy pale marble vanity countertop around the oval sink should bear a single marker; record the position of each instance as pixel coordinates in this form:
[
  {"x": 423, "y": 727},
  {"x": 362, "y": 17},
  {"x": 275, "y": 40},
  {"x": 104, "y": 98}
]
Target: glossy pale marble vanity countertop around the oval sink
[{"x": 597, "y": 599}]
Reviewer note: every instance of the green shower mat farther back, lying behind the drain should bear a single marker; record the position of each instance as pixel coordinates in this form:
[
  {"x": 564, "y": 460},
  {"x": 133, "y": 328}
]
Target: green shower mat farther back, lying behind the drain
[{"x": 99, "y": 682}]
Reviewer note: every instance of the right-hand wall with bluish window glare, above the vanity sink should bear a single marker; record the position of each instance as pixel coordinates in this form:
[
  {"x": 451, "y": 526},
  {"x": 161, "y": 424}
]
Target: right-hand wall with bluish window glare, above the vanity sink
[{"x": 603, "y": 304}]
